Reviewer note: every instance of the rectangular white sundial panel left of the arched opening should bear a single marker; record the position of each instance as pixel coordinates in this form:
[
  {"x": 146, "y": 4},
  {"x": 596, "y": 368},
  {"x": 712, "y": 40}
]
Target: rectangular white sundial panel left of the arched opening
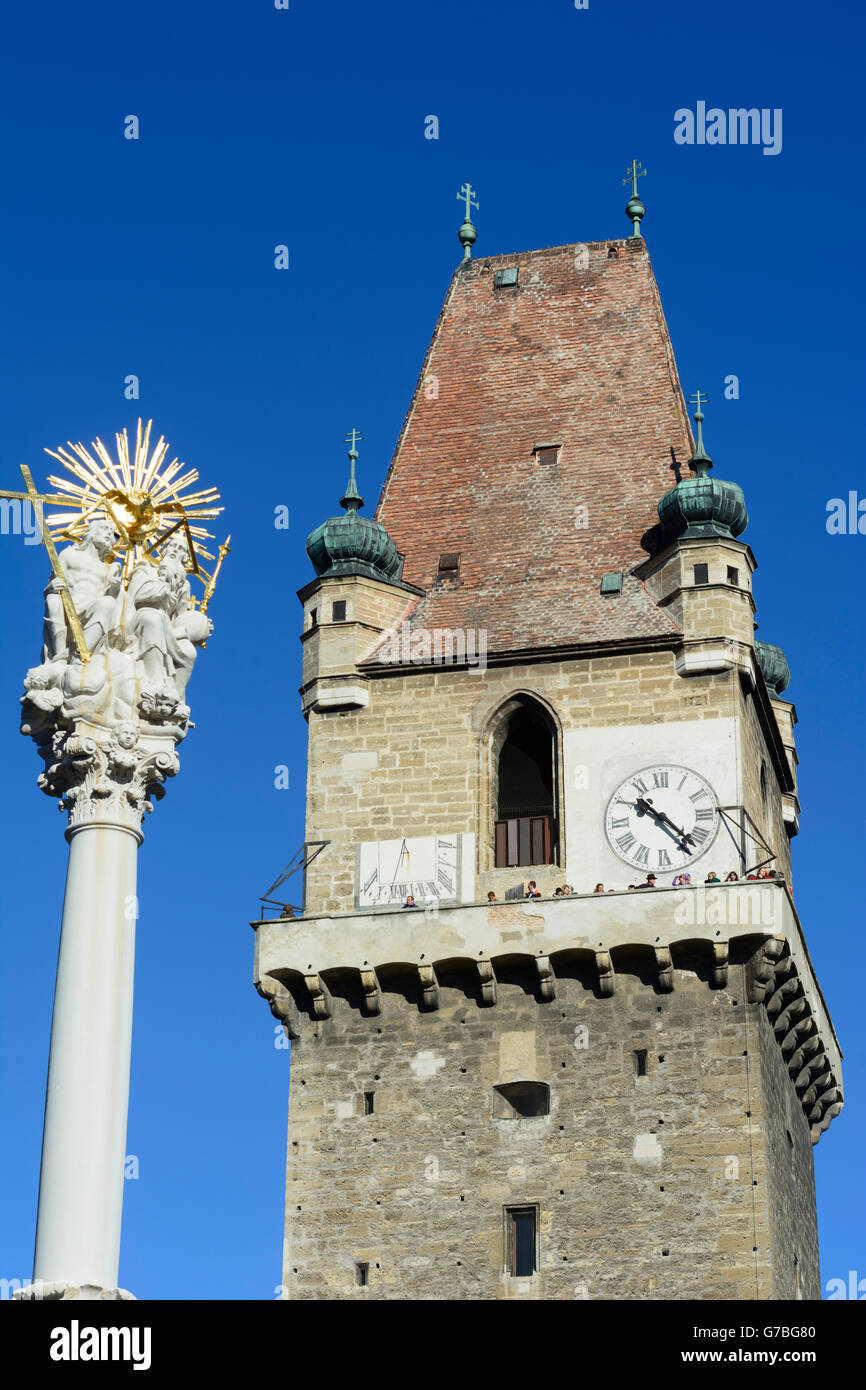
[{"x": 425, "y": 867}]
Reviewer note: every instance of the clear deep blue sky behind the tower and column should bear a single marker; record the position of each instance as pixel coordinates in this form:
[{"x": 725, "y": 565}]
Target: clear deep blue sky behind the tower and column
[{"x": 156, "y": 258}]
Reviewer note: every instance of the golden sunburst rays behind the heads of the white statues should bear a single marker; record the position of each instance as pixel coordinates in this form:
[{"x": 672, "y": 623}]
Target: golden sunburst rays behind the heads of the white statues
[{"x": 142, "y": 497}]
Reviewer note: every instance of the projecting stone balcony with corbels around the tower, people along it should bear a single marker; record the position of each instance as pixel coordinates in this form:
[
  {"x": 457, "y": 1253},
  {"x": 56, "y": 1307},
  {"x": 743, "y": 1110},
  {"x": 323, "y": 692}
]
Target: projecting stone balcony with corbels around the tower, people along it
[{"x": 660, "y": 932}]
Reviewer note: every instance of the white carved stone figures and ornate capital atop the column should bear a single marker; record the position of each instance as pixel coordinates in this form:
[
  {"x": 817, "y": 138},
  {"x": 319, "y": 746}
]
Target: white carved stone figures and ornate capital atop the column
[{"x": 142, "y": 644}]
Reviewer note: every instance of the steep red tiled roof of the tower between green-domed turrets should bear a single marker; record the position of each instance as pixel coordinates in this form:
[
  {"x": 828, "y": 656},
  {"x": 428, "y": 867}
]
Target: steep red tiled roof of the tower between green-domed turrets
[{"x": 579, "y": 355}]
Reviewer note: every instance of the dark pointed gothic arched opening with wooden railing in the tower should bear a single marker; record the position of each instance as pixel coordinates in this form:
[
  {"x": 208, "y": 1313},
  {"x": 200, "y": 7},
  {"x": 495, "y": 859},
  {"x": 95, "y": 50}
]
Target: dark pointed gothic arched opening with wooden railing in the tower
[{"x": 526, "y": 762}]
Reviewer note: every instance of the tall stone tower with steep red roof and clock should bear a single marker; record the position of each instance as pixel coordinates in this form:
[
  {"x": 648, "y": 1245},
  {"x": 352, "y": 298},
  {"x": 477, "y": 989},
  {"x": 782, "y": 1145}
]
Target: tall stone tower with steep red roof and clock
[{"x": 539, "y": 662}]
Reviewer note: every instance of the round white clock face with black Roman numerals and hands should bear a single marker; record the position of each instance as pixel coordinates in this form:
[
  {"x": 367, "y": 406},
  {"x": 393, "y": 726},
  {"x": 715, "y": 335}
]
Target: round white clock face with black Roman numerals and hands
[{"x": 662, "y": 818}]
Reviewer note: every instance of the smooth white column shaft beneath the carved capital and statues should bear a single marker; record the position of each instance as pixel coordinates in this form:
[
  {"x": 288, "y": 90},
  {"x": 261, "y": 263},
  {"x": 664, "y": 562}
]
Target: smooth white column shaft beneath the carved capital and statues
[{"x": 84, "y": 1147}]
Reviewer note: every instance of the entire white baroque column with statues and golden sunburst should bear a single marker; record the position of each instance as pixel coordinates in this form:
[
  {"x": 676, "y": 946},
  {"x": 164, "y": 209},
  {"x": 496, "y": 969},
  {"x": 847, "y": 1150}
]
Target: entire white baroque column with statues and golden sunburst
[{"x": 106, "y": 708}]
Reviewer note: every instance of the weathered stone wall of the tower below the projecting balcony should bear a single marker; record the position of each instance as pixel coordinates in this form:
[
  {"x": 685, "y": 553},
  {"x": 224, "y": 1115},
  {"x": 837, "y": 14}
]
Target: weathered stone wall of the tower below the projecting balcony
[{"x": 647, "y": 1188}]
